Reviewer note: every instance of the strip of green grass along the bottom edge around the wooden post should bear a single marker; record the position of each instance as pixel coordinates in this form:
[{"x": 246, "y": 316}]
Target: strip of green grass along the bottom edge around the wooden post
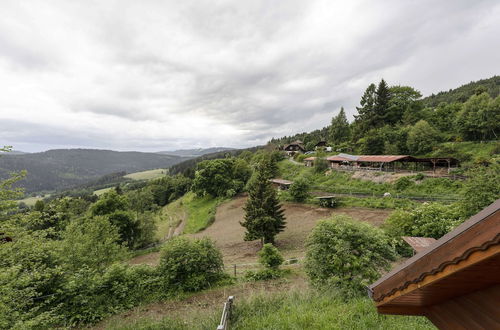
[{"x": 282, "y": 306}]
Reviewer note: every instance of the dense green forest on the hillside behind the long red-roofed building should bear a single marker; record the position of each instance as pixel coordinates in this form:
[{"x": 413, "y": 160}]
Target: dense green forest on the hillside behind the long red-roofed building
[{"x": 397, "y": 120}]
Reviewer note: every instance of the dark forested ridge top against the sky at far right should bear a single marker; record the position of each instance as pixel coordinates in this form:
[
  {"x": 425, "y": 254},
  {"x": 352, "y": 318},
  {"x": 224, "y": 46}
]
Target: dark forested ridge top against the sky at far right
[{"x": 462, "y": 93}]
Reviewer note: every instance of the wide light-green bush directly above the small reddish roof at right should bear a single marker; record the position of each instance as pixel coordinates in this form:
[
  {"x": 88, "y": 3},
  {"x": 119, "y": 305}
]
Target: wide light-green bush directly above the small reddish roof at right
[{"x": 426, "y": 220}]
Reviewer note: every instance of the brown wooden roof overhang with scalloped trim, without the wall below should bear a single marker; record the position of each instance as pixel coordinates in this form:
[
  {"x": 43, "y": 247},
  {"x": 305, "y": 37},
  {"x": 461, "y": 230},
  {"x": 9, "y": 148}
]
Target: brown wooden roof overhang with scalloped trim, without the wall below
[{"x": 463, "y": 261}]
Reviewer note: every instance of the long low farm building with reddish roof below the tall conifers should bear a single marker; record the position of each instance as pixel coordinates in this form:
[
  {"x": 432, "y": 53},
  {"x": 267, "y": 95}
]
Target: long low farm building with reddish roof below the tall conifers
[{"x": 392, "y": 163}]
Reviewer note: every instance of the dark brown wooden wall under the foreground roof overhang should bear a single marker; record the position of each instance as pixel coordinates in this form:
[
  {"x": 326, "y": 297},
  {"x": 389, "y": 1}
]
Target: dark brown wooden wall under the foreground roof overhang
[{"x": 477, "y": 310}]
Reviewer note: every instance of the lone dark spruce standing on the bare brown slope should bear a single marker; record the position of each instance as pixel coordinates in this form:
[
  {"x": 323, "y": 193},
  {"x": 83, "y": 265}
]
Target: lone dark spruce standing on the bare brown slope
[{"x": 264, "y": 217}]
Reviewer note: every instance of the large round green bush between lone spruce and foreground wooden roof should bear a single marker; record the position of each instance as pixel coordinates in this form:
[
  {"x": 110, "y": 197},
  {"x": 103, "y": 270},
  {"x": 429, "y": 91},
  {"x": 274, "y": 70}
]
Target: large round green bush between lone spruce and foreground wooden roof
[{"x": 346, "y": 254}]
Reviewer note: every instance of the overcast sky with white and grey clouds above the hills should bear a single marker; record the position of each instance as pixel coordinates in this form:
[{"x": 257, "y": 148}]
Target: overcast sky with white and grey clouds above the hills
[{"x": 163, "y": 75}]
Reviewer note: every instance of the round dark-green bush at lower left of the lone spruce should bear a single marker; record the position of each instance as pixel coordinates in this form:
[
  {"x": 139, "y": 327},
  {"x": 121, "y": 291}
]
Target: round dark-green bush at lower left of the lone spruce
[{"x": 190, "y": 265}]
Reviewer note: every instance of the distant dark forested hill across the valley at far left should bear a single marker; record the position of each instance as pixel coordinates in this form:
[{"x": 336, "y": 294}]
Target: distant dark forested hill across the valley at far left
[{"x": 65, "y": 168}]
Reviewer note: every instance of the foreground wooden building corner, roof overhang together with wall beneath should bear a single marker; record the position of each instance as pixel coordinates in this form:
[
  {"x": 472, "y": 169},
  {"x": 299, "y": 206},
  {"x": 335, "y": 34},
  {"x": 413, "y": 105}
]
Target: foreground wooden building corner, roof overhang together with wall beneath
[{"x": 454, "y": 282}]
